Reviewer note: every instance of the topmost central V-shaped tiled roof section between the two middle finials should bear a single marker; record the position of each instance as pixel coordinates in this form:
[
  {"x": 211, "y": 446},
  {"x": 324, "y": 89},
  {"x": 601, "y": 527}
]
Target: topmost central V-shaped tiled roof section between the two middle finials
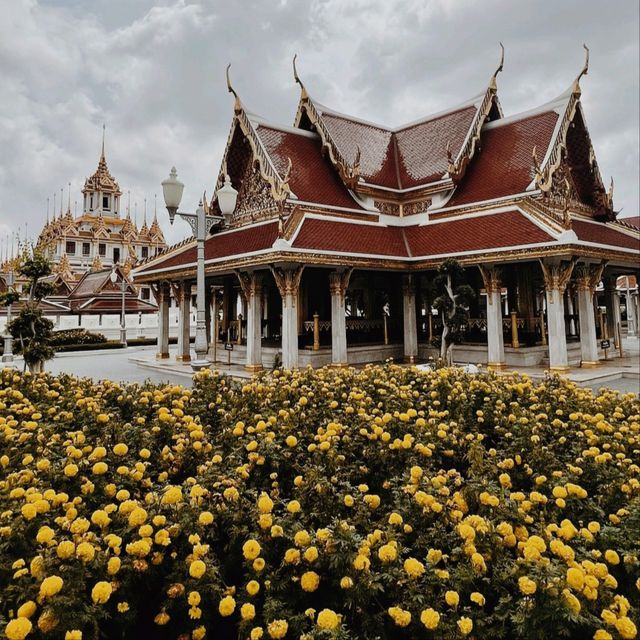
[{"x": 405, "y": 157}]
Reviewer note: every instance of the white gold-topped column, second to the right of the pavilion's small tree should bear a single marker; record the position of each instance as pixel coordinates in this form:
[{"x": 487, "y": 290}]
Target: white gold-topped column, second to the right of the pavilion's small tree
[{"x": 556, "y": 278}]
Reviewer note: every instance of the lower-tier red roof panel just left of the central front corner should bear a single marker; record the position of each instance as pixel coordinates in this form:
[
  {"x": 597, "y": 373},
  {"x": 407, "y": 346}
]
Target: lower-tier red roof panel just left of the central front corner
[{"x": 350, "y": 237}]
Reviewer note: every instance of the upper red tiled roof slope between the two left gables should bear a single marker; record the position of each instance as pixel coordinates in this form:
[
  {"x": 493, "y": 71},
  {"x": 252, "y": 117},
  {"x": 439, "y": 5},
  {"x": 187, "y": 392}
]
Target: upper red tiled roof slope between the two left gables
[{"x": 313, "y": 178}]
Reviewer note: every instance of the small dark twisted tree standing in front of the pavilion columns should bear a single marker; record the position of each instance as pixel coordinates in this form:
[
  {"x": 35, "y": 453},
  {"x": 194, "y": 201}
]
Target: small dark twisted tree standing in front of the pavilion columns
[{"x": 452, "y": 301}]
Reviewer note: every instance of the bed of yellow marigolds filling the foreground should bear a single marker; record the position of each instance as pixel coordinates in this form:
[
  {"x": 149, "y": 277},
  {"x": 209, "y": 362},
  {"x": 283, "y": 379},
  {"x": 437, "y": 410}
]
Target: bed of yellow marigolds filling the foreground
[{"x": 382, "y": 503}]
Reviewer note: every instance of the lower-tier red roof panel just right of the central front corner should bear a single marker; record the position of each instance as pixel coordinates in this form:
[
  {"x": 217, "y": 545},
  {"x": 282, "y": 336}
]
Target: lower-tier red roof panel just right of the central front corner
[{"x": 506, "y": 229}]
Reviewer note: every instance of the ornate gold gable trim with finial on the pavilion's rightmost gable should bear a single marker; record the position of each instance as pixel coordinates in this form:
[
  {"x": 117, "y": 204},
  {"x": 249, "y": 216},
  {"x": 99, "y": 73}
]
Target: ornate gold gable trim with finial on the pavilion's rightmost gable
[{"x": 544, "y": 172}]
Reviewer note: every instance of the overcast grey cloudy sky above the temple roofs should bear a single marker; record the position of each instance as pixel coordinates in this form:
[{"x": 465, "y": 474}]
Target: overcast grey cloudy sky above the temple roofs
[{"x": 154, "y": 73}]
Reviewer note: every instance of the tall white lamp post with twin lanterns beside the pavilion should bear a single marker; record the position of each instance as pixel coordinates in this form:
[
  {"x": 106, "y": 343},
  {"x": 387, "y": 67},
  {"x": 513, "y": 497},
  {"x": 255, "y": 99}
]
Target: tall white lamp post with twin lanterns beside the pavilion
[{"x": 201, "y": 223}]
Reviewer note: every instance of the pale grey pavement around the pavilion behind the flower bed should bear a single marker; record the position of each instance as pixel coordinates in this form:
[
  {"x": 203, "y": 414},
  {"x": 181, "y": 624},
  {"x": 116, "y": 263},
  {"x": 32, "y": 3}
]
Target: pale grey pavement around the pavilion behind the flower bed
[{"x": 139, "y": 364}]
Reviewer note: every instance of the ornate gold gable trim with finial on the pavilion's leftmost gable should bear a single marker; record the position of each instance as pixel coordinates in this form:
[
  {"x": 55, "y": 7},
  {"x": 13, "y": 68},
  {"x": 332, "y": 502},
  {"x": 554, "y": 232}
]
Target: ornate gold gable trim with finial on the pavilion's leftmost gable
[{"x": 279, "y": 185}]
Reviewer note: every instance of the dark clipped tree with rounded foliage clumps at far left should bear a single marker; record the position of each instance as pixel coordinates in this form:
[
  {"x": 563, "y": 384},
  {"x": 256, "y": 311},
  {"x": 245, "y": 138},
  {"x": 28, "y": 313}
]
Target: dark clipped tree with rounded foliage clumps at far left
[{"x": 30, "y": 328}]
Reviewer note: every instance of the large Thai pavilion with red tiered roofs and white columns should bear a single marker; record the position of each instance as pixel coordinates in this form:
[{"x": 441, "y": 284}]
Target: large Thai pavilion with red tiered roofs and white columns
[{"x": 340, "y": 225}]
